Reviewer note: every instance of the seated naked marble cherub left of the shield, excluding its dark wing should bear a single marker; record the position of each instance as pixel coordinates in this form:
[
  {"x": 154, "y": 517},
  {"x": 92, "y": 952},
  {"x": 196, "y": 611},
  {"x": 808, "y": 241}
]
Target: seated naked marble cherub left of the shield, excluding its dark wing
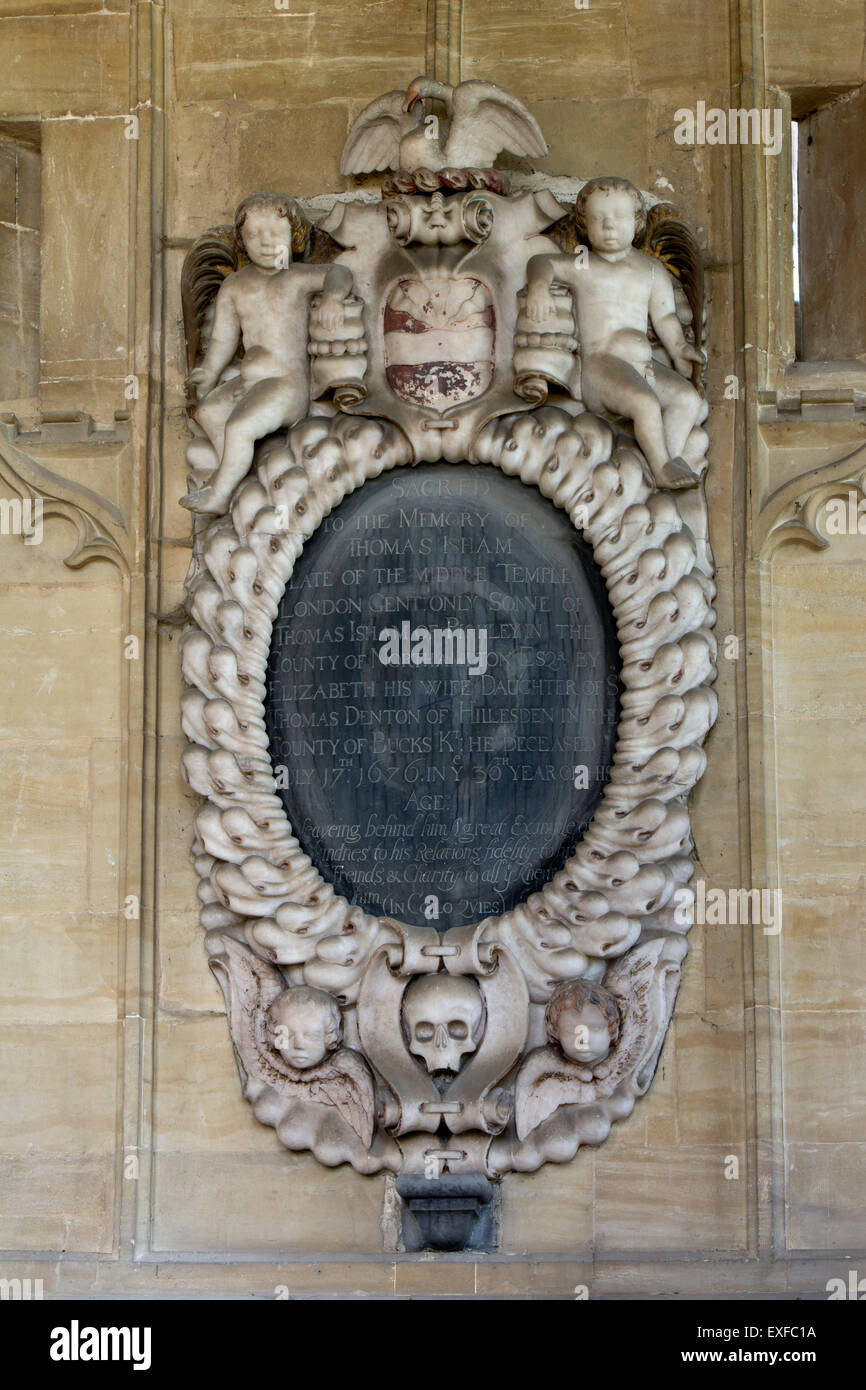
[{"x": 263, "y": 308}]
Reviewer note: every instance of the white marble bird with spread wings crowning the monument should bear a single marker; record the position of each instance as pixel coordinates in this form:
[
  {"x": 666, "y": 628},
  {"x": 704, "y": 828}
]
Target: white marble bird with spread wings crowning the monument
[{"x": 483, "y": 120}]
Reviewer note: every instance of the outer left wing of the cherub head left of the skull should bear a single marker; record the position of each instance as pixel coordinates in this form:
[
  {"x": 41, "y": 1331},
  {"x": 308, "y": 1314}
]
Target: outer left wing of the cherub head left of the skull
[{"x": 250, "y": 988}]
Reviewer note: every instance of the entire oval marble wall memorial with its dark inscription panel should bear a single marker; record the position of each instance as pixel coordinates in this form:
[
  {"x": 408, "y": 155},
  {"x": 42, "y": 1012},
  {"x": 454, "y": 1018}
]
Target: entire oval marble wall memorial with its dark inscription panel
[{"x": 450, "y": 653}]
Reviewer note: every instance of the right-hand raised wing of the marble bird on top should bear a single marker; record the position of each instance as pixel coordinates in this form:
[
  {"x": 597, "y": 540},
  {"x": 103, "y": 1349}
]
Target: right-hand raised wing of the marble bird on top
[{"x": 487, "y": 120}]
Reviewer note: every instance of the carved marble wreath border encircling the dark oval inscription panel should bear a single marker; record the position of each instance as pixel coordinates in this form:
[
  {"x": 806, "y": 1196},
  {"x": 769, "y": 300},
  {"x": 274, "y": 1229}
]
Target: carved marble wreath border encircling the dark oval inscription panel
[{"x": 621, "y": 882}]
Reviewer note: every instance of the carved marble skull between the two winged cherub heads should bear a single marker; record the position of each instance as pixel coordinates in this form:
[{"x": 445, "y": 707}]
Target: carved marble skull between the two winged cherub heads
[{"x": 444, "y": 1018}]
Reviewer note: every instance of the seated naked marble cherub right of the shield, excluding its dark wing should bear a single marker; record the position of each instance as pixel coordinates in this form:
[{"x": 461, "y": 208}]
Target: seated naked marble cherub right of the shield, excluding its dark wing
[{"x": 618, "y": 294}]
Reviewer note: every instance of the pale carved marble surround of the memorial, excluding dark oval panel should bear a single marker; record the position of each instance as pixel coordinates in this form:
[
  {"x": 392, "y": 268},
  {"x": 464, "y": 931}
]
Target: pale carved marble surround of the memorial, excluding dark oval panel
[{"x": 561, "y": 343}]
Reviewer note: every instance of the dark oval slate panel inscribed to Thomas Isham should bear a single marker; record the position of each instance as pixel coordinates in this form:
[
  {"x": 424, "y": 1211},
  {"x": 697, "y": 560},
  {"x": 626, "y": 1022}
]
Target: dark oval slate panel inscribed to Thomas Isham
[{"x": 443, "y": 694}]
